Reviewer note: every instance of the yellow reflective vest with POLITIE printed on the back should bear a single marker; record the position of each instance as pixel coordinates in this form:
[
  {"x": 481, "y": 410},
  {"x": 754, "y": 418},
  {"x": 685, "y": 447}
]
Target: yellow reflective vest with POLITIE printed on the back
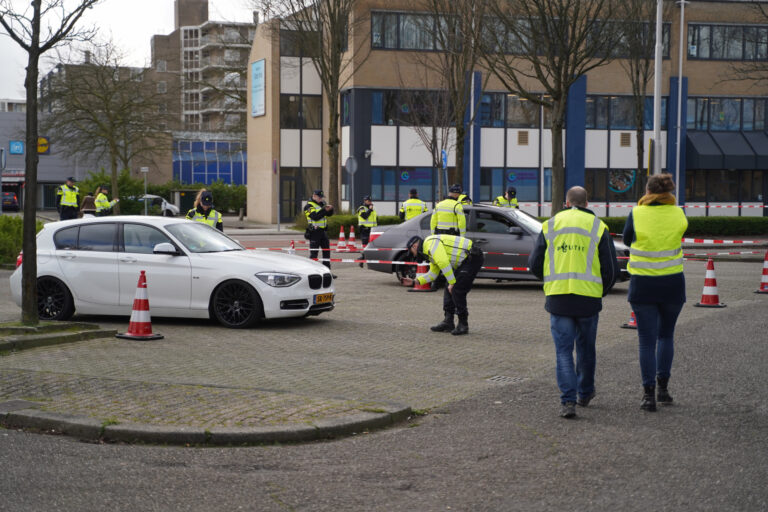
[{"x": 571, "y": 262}]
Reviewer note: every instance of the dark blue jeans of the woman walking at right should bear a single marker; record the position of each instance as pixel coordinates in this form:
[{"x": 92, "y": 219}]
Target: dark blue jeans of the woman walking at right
[{"x": 656, "y": 331}]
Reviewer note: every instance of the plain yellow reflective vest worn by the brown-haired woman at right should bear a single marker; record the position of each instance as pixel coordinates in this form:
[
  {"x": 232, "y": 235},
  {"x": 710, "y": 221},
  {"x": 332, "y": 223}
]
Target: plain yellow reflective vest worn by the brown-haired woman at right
[{"x": 657, "y": 249}]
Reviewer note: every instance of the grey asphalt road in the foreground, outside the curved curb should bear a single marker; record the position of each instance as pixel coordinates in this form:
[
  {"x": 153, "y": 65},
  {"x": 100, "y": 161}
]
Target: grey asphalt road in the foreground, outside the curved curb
[{"x": 503, "y": 448}]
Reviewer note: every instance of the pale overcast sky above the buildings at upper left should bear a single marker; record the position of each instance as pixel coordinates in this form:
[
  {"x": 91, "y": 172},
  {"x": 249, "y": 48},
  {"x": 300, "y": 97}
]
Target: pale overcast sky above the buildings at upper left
[{"x": 129, "y": 23}]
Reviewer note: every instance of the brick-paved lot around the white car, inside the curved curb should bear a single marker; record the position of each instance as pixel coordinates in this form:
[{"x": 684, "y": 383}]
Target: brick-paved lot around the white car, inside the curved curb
[{"x": 375, "y": 348}]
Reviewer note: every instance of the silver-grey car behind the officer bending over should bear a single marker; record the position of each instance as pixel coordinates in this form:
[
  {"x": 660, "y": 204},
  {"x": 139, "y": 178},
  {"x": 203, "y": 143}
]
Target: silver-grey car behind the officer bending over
[{"x": 507, "y": 236}]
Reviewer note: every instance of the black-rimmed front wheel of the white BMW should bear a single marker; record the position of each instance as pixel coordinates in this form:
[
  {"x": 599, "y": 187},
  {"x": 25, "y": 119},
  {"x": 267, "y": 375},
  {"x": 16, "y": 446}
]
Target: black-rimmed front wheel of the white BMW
[{"x": 236, "y": 305}]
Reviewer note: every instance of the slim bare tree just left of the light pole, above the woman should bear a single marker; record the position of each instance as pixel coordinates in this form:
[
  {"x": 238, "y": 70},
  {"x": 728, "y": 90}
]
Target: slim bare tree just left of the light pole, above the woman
[{"x": 636, "y": 53}]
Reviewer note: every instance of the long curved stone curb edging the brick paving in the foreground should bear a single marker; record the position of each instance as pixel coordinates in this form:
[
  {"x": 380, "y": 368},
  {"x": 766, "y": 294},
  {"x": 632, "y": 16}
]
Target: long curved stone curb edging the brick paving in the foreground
[{"x": 24, "y": 415}]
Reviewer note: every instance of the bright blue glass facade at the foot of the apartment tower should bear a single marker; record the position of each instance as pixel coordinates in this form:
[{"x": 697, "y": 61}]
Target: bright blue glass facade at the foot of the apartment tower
[{"x": 206, "y": 162}]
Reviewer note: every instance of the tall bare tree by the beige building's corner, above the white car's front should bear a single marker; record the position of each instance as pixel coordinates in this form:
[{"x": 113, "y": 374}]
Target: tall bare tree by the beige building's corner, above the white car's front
[{"x": 322, "y": 29}]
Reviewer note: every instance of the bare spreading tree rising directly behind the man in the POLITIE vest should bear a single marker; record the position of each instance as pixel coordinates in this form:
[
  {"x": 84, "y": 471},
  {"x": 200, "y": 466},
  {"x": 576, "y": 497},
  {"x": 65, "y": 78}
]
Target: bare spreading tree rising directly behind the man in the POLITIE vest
[{"x": 549, "y": 44}]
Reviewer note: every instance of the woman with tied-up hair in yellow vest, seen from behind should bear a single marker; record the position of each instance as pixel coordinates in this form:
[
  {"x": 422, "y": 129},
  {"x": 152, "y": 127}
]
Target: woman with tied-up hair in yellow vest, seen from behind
[{"x": 654, "y": 232}]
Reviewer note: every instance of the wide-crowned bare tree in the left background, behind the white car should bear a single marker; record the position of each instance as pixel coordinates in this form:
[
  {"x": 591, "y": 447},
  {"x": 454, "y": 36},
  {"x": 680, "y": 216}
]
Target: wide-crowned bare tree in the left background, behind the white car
[{"x": 104, "y": 109}]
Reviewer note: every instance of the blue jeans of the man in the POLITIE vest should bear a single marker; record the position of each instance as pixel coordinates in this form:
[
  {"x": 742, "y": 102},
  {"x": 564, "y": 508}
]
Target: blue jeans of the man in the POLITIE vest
[{"x": 583, "y": 331}]
